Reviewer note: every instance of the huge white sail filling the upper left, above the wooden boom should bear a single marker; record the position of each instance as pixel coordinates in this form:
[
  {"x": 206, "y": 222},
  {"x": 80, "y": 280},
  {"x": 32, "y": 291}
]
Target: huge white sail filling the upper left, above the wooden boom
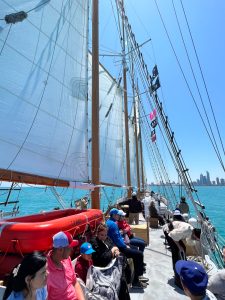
[{"x": 43, "y": 89}]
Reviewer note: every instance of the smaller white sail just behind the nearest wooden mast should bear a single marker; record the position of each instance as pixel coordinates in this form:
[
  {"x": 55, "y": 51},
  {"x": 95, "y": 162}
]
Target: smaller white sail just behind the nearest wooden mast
[{"x": 111, "y": 122}]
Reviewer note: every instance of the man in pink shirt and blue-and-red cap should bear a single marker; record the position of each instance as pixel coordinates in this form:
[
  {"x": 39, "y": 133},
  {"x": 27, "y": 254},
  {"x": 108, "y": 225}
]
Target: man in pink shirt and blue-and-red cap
[{"x": 62, "y": 283}]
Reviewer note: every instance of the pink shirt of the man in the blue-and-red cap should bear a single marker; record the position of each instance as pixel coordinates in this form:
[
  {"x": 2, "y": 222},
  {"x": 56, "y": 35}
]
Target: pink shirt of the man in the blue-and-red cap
[{"x": 60, "y": 282}]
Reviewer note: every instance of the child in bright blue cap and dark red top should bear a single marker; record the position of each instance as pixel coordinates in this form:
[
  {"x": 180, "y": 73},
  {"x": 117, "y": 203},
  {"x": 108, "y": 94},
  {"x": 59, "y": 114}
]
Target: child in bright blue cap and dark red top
[{"x": 84, "y": 261}]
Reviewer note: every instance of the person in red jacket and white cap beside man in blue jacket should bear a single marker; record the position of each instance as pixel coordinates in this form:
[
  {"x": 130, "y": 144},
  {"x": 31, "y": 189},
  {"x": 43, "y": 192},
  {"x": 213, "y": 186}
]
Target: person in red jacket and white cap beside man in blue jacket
[{"x": 129, "y": 237}]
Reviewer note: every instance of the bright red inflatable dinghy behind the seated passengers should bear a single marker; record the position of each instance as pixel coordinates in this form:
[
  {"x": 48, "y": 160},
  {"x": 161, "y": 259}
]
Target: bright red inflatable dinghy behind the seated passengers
[{"x": 34, "y": 232}]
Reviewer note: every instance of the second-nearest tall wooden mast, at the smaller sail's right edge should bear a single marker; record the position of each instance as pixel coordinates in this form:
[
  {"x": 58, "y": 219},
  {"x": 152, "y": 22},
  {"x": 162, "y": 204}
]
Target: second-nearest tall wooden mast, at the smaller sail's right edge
[{"x": 125, "y": 105}]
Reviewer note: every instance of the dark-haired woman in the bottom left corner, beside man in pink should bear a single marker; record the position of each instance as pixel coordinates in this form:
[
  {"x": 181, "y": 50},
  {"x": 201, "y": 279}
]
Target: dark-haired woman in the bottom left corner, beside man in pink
[{"x": 28, "y": 280}]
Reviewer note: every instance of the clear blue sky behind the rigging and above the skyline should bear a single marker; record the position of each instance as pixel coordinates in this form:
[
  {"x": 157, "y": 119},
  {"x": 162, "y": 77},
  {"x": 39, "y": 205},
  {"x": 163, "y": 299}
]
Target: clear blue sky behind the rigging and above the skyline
[{"x": 207, "y": 22}]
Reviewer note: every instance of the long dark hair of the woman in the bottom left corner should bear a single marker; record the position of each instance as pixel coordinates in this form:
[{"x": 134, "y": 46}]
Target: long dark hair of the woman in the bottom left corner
[{"x": 29, "y": 266}]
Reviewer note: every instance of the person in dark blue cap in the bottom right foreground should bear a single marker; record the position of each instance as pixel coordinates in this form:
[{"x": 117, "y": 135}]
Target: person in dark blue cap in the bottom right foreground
[{"x": 194, "y": 280}]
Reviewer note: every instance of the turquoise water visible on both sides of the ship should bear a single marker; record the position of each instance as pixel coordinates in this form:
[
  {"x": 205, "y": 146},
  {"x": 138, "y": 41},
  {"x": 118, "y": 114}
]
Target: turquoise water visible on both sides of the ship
[{"x": 36, "y": 199}]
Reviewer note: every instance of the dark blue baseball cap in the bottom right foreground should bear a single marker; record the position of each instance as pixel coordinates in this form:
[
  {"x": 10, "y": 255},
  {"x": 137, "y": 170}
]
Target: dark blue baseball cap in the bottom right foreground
[{"x": 193, "y": 275}]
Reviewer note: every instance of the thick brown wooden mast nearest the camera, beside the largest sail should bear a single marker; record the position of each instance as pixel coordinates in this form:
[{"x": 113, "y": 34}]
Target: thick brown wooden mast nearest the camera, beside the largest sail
[{"x": 95, "y": 106}]
